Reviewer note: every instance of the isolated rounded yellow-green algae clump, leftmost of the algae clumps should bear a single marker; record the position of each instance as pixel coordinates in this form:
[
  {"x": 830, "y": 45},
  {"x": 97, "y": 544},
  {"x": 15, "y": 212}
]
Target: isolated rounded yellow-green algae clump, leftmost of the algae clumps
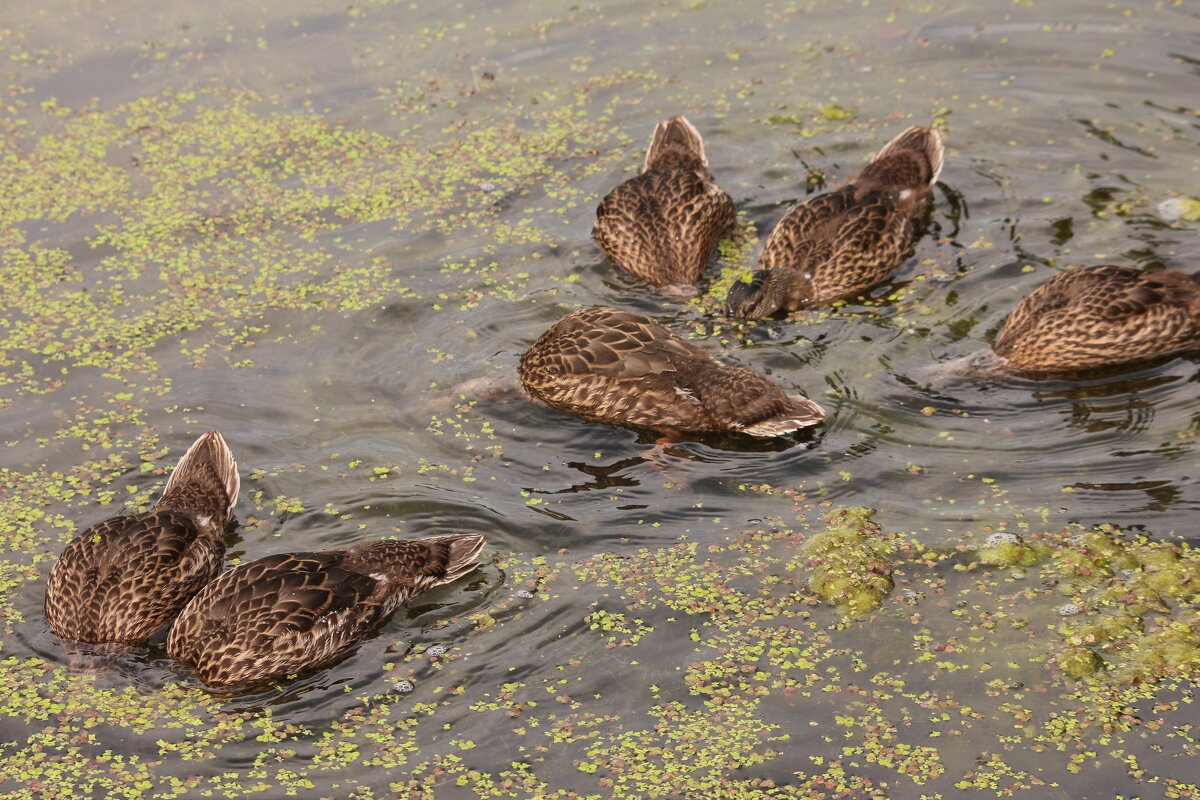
[{"x": 849, "y": 566}]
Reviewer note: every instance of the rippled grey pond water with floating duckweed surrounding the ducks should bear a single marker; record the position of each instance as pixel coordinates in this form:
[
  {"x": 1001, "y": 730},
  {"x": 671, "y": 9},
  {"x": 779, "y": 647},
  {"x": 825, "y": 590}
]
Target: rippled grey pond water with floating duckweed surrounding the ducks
[{"x": 321, "y": 227}]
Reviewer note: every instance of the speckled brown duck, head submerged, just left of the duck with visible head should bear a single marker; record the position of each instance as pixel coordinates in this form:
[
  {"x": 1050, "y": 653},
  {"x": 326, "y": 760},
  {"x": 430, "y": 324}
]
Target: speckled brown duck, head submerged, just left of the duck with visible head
[{"x": 662, "y": 226}]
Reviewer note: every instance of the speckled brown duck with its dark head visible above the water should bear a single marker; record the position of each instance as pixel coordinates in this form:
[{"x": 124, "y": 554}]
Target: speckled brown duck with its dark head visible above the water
[{"x": 838, "y": 245}]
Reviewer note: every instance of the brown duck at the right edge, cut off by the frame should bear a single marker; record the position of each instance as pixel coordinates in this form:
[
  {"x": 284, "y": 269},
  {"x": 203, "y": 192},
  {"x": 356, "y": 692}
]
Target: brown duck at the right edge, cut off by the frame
[{"x": 1095, "y": 317}]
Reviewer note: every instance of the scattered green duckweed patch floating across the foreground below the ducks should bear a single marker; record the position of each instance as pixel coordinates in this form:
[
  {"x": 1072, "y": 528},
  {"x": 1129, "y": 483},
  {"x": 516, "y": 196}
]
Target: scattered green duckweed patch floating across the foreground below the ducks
[{"x": 958, "y": 648}]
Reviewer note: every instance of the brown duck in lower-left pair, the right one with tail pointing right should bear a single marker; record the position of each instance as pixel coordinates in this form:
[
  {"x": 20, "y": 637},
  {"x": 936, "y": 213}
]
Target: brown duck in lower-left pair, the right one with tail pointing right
[{"x": 291, "y": 612}]
